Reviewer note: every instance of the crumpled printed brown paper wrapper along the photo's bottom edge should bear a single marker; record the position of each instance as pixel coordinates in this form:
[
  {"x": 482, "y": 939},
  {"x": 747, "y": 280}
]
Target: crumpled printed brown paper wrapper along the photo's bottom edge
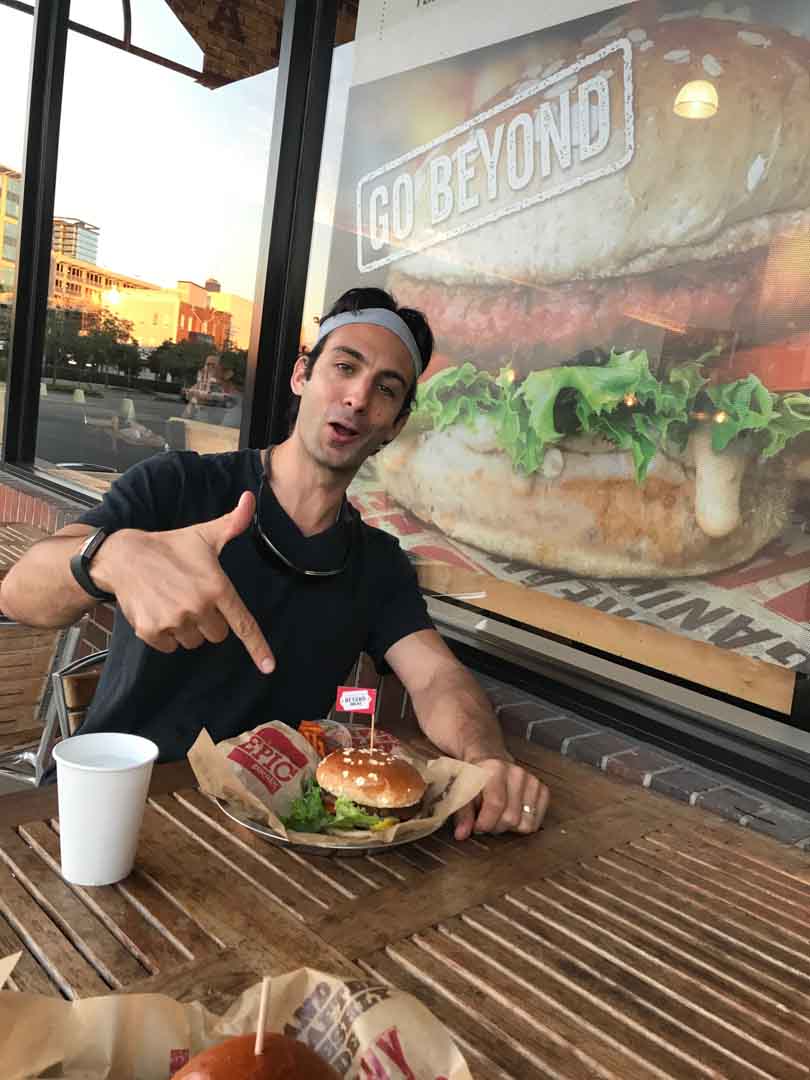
[{"x": 361, "y": 1029}]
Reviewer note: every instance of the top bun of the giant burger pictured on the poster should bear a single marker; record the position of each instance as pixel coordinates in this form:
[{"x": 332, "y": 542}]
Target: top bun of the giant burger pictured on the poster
[{"x": 693, "y": 193}]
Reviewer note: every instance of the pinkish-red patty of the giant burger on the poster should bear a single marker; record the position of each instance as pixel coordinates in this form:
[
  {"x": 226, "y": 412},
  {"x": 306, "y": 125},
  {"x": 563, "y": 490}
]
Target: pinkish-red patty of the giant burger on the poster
[{"x": 539, "y": 327}]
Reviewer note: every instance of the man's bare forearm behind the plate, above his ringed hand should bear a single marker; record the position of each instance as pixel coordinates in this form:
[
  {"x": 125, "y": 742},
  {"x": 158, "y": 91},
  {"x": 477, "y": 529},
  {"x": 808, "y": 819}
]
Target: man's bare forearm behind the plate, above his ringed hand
[{"x": 455, "y": 714}]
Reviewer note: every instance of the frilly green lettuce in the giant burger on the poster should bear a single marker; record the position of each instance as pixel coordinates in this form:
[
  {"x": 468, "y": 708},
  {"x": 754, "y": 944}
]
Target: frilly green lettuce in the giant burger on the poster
[{"x": 620, "y": 401}]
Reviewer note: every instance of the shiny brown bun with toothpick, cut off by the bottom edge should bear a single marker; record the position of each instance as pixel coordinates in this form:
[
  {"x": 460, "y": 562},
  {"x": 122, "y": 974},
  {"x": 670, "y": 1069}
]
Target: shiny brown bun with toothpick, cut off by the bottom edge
[{"x": 283, "y": 1059}]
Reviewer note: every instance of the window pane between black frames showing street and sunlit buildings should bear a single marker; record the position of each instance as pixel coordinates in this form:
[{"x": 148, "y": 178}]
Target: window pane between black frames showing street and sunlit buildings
[{"x": 158, "y": 218}]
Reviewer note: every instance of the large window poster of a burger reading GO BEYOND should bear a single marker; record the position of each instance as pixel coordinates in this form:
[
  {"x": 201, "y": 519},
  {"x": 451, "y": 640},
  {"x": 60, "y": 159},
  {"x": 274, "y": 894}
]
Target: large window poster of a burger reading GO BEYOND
[{"x": 607, "y": 223}]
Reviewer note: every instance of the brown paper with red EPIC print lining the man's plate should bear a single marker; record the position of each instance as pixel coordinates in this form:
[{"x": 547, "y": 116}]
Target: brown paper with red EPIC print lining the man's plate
[{"x": 260, "y": 774}]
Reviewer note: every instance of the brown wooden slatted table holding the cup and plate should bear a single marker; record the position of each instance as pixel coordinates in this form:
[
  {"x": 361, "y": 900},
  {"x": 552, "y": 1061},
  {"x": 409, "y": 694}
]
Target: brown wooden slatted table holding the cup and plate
[{"x": 633, "y": 938}]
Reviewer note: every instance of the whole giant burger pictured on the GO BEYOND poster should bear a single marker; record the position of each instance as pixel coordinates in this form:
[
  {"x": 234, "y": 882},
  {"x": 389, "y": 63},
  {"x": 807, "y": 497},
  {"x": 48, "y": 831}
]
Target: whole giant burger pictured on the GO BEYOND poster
[{"x": 555, "y": 429}]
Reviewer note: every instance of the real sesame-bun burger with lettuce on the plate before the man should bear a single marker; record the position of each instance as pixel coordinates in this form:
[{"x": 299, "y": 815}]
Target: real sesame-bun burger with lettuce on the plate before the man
[{"x": 358, "y": 790}]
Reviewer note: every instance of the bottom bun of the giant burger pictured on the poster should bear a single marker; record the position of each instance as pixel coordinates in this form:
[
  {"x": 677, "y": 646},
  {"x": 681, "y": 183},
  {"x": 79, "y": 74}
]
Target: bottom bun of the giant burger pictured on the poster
[{"x": 591, "y": 518}]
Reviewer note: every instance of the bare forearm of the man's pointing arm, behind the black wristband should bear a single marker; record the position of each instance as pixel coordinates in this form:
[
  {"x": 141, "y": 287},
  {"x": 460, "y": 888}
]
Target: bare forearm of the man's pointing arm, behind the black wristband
[{"x": 40, "y": 590}]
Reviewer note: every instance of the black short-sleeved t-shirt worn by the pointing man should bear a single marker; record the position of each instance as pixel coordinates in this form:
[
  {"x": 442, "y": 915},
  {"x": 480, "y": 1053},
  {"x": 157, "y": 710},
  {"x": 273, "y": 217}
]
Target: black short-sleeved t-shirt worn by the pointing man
[{"x": 316, "y": 627}]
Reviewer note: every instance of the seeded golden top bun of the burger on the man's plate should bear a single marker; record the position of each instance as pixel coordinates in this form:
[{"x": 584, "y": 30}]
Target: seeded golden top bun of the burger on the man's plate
[{"x": 371, "y": 778}]
